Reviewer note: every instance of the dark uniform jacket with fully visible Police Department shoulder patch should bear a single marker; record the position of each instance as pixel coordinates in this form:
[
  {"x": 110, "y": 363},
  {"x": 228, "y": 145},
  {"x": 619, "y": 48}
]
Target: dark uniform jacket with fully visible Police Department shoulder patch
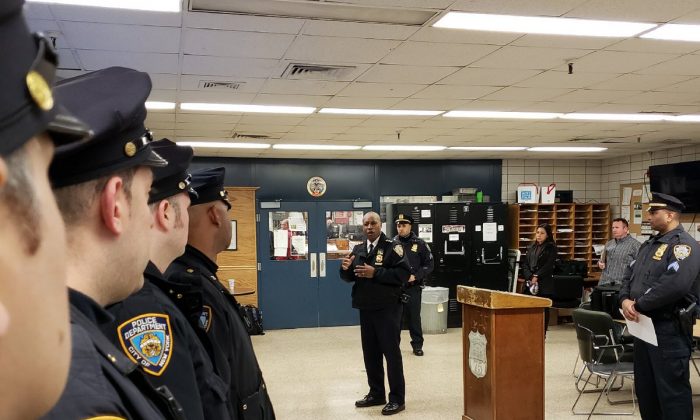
[{"x": 154, "y": 333}]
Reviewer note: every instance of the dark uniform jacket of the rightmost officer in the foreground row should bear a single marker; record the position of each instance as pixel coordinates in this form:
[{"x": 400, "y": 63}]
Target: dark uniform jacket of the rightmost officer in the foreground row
[{"x": 227, "y": 335}]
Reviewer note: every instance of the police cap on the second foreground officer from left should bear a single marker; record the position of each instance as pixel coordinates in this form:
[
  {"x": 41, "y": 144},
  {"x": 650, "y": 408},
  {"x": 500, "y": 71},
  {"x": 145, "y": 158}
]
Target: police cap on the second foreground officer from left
[{"x": 113, "y": 102}]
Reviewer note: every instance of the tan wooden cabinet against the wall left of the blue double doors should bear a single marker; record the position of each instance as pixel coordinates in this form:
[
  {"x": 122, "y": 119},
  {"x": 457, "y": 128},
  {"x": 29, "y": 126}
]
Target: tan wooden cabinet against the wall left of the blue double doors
[{"x": 241, "y": 264}]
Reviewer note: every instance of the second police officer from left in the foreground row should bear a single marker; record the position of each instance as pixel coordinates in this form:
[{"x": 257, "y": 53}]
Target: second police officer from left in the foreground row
[{"x": 101, "y": 188}]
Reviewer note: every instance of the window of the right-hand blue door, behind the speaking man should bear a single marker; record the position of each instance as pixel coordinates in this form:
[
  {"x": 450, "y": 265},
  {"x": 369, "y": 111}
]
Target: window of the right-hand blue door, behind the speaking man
[{"x": 343, "y": 232}]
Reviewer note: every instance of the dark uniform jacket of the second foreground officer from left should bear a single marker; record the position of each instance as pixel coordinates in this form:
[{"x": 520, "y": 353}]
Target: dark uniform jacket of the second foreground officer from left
[{"x": 98, "y": 384}]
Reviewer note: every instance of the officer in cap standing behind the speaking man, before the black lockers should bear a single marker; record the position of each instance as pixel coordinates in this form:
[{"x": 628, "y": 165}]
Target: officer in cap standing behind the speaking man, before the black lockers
[{"x": 421, "y": 261}]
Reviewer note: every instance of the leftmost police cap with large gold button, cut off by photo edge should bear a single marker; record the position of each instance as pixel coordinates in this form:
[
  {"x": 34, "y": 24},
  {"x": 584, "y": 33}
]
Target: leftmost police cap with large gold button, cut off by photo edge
[{"x": 27, "y": 69}]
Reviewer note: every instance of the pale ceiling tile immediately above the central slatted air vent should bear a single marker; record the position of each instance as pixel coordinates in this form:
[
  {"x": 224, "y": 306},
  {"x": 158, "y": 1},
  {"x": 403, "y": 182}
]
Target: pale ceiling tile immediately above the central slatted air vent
[{"x": 340, "y": 50}]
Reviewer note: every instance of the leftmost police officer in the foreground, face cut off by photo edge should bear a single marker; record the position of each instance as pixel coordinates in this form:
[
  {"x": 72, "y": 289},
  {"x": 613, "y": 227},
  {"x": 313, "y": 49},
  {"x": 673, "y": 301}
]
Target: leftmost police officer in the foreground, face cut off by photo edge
[{"x": 32, "y": 124}]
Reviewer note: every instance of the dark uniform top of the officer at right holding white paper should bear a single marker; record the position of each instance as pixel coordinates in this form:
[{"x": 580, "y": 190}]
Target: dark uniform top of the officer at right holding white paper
[{"x": 666, "y": 269}]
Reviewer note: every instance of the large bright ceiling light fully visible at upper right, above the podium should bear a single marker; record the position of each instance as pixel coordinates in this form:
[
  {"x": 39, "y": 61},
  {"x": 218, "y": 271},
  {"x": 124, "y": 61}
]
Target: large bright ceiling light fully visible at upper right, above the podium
[{"x": 541, "y": 25}]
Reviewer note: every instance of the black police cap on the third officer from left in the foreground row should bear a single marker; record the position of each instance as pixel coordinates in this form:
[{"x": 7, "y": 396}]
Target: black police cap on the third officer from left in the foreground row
[{"x": 172, "y": 179}]
